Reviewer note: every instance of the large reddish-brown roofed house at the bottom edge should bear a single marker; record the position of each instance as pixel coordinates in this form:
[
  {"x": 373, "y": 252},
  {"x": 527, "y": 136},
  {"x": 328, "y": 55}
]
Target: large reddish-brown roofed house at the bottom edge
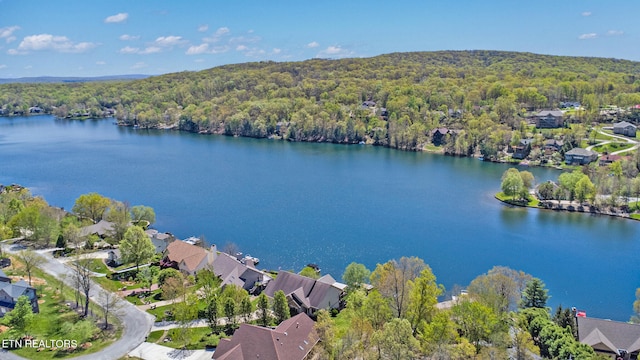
[{"x": 293, "y": 339}]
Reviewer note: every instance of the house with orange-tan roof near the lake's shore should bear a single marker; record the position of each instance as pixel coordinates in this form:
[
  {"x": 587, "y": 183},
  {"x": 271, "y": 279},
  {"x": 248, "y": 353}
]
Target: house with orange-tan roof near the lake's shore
[{"x": 187, "y": 258}]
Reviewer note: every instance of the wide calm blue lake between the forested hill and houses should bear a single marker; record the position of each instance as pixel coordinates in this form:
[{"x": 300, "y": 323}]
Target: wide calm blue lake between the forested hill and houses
[{"x": 291, "y": 204}]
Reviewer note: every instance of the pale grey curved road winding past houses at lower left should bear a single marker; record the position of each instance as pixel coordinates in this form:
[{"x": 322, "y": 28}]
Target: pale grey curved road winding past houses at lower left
[{"x": 136, "y": 323}]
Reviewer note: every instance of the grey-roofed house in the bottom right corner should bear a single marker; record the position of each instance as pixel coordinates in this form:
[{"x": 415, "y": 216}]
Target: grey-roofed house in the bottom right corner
[{"x": 613, "y": 338}]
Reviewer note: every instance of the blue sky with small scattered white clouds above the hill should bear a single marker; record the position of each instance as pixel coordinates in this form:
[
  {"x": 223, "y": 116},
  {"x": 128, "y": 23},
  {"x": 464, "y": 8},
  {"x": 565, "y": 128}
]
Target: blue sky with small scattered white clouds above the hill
[{"x": 95, "y": 38}]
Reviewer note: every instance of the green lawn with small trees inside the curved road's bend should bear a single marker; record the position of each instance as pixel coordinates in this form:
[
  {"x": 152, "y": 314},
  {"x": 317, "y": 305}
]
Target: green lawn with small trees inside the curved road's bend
[{"x": 58, "y": 320}]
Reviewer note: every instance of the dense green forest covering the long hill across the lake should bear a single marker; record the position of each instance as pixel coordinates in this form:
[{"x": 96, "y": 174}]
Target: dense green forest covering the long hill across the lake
[{"x": 392, "y": 100}]
